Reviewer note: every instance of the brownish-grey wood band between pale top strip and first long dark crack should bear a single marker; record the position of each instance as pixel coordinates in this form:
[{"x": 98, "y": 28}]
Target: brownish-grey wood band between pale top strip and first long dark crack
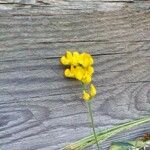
[{"x": 129, "y": 26}]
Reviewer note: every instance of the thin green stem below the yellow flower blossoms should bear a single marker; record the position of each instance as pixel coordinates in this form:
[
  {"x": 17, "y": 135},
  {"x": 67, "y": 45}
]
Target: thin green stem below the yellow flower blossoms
[{"x": 92, "y": 122}]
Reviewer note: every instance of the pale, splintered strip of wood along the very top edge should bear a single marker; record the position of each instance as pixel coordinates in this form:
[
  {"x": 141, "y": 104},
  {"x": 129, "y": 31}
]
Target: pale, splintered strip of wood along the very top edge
[{"x": 76, "y": 7}]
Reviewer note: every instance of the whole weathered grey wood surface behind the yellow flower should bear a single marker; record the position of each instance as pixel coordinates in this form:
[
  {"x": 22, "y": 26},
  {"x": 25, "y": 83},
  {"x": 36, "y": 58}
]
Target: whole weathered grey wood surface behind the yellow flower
[{"x": 39, "y": 108}]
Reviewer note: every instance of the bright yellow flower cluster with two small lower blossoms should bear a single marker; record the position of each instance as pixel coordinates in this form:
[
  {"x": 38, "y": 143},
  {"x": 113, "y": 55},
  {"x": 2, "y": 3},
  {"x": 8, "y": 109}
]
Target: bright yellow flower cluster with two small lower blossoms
[{"x": 79, "y": 66}]
